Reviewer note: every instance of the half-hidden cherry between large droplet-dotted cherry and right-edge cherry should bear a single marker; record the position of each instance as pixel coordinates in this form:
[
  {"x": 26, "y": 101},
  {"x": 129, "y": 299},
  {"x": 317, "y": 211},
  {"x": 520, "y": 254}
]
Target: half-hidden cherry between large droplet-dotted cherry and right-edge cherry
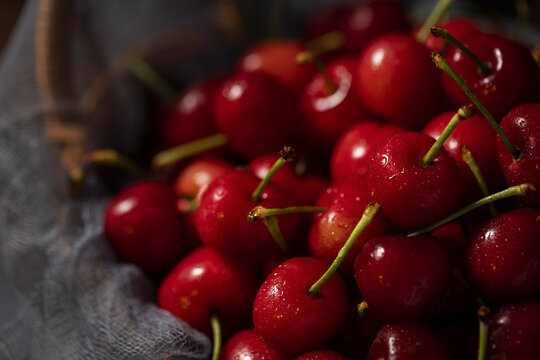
[{"x": 482, "y": 148}]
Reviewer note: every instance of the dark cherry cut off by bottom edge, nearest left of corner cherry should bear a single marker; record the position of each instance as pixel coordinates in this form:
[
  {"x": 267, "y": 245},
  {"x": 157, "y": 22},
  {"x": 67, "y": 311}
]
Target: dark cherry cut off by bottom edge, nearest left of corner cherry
[{"x": 413, "y": 340}]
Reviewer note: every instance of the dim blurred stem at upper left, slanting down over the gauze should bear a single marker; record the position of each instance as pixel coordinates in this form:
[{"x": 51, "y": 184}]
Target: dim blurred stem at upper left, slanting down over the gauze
[{"x": 150, "y": 77}]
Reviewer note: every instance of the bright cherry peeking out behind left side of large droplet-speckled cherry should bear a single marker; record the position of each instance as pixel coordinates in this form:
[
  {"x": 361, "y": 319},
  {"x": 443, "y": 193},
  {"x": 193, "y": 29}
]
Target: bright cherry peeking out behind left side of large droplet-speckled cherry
[{"x": 352, "y": 153}]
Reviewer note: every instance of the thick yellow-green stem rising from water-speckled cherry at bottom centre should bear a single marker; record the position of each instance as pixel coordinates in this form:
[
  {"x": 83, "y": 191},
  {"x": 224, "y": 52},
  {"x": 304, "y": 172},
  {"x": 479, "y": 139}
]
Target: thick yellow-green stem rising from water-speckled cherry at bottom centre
[{"x": 372, "y": 209}]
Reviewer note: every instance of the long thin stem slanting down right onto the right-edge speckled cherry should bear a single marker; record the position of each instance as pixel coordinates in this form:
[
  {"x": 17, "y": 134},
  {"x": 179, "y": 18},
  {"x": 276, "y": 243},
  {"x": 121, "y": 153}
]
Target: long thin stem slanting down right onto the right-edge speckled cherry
[{"x": 441, "y": 63}]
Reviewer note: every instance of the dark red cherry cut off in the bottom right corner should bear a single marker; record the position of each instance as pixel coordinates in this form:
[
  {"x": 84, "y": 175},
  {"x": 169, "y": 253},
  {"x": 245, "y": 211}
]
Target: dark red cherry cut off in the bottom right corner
[{"x": 514, "y": 332}]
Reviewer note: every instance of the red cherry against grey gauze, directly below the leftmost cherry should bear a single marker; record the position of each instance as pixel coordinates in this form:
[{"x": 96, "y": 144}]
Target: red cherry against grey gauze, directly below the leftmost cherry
[{"x": 206, "y": 281}]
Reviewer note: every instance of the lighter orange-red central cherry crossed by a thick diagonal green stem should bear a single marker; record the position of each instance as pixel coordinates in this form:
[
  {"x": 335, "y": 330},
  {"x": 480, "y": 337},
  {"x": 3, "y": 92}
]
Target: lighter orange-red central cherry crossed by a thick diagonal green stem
[{"x": 332, "y": 228}]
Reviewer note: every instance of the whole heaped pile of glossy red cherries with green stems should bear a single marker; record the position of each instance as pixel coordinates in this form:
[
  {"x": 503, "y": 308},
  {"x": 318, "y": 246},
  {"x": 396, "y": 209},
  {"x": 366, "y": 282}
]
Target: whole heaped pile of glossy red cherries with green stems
[{"x": 246, "y": 243}]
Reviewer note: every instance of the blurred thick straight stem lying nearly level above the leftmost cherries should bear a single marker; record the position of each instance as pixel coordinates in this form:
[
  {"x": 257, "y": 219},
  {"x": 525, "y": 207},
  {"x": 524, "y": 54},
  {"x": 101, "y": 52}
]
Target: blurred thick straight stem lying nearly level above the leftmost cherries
[{"x": 173, "y": 155}]
